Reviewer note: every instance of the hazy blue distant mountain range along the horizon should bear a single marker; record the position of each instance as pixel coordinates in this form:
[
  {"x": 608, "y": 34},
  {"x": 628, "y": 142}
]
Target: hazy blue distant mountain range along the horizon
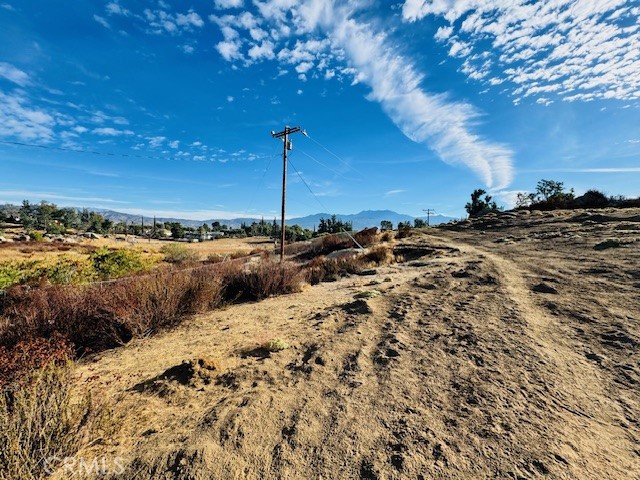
[{"x": 364, "y": 219}]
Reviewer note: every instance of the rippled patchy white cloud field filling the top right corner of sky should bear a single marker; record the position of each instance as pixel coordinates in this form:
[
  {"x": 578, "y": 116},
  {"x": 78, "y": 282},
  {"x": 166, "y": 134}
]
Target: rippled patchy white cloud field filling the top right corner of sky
[{"x": 573, "y": 49}]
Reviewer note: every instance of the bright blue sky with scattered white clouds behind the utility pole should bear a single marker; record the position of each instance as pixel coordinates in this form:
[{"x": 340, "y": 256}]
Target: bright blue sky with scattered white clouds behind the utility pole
[{"x": 166, "y": 108}]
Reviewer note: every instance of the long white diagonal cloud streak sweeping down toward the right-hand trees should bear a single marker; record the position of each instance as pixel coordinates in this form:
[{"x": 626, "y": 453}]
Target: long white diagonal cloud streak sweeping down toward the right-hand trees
[{"x": 373, "y": 59}]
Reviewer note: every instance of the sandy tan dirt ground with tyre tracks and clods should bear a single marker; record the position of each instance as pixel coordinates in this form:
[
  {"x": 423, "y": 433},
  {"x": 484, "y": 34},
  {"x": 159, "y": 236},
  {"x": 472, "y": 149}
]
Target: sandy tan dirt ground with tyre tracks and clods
[{"x": 507, "y": 348}]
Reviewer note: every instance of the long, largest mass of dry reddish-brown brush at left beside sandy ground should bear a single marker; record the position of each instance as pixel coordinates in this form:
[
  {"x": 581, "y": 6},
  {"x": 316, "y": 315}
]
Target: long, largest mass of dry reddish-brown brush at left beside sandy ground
[{"x": 106, "y": 315}]
